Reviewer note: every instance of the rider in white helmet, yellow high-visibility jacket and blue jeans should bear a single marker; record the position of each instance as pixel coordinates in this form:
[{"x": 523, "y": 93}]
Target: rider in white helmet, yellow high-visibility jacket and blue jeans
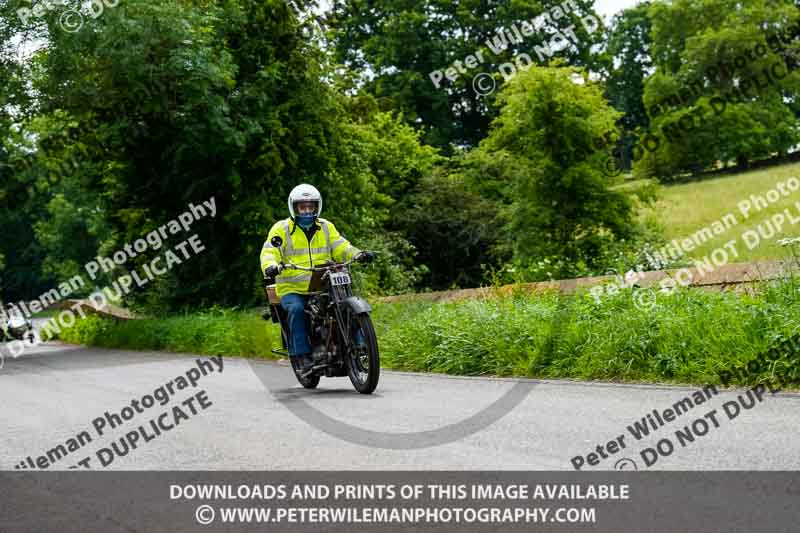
[{"x": 306, "y": 240}]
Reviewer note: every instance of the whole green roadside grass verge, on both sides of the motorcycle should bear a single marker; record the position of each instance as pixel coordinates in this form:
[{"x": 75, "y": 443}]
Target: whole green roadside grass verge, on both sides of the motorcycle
[{"x": 688, "y": 337}]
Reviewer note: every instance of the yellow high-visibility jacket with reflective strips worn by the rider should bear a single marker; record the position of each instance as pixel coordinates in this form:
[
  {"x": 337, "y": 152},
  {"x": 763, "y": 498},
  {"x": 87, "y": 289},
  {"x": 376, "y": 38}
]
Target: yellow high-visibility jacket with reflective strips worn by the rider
[{"x": 326, "y": 244}]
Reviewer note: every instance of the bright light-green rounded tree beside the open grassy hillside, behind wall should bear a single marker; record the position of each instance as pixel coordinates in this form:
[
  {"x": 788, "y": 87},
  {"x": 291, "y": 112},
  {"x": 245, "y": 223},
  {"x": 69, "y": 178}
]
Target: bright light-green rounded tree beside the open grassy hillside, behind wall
[{"x": 562, "y": 205}]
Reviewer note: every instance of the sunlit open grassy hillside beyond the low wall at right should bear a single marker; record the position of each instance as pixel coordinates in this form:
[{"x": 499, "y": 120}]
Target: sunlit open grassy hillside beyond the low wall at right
[{"x": 685, "y": 209}]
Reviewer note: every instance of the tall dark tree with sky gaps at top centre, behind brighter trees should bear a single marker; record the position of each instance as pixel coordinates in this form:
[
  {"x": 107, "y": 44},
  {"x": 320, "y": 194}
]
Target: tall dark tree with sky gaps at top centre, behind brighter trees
[{"x": 396, "y": 45}]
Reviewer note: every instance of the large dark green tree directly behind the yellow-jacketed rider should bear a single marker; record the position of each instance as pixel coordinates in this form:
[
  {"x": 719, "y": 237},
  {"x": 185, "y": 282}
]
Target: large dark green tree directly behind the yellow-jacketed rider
[{"x": 180, "y": 102}]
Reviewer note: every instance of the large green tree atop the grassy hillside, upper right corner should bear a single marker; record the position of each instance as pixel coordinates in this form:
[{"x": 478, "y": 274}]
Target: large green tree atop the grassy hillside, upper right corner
[{"x": 710, "y": 58}]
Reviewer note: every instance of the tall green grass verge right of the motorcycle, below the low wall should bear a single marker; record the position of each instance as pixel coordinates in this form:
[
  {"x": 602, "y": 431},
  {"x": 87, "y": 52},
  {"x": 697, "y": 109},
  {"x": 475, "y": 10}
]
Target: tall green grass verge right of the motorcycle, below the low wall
[{"x": 689, "y": 336}]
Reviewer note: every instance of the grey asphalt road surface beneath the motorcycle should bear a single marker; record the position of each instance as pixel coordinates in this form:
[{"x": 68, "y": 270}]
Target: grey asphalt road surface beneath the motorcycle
[{"x": 259, "y": 418}]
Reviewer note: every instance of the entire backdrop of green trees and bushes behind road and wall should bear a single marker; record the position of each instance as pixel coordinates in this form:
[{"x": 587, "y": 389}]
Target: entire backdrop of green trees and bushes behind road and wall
[{"x": 108, "y": 132}]
